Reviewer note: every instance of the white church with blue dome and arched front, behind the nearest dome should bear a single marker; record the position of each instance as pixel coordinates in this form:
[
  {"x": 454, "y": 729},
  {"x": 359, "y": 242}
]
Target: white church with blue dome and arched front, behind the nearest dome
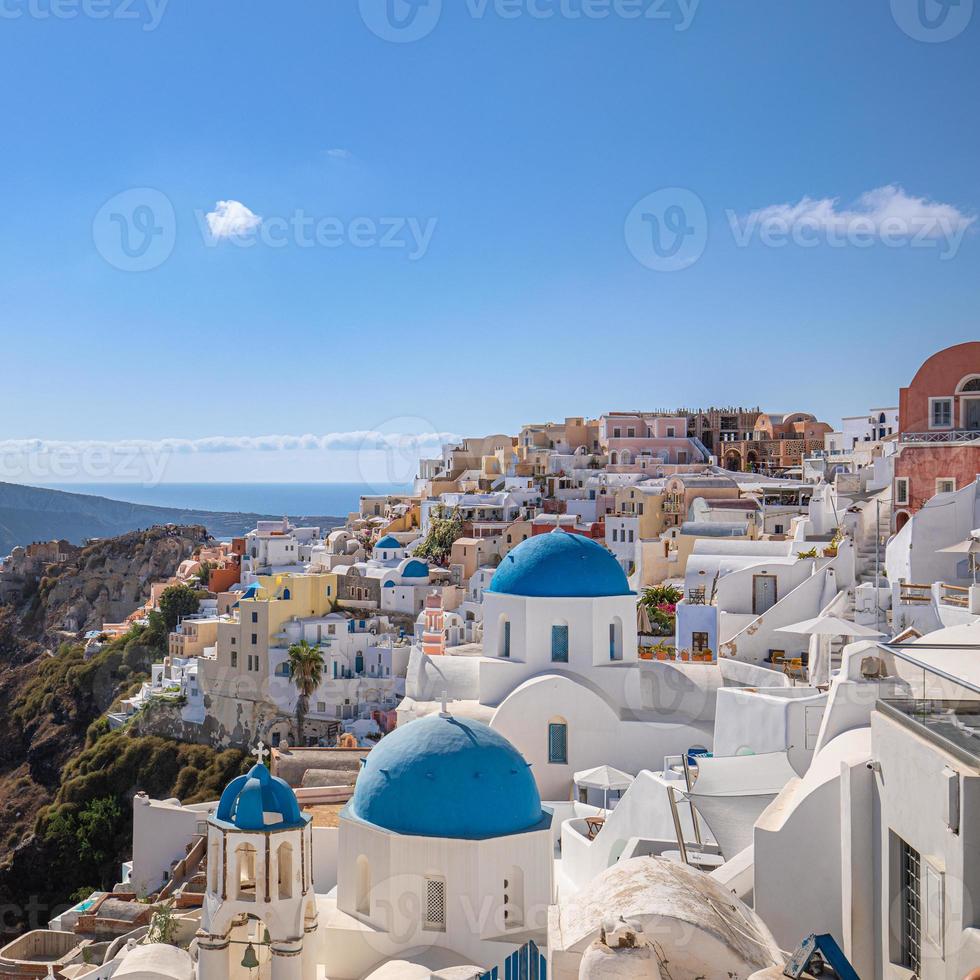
[{"x": 559, "y": 673}]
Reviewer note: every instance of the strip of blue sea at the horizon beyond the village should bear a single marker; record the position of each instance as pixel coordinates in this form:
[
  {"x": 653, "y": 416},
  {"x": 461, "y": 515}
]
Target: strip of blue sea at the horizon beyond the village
[{"x": 288, "y": 499}]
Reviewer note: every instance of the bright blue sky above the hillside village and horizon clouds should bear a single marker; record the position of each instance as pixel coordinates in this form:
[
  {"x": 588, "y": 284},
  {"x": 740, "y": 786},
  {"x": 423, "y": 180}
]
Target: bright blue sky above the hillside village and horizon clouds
[{"x": 520, "y": 145}]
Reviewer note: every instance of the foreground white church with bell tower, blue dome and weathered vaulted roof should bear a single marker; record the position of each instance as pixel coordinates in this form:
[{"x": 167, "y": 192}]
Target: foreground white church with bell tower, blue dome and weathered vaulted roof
[{"x": 444, "y": 869}]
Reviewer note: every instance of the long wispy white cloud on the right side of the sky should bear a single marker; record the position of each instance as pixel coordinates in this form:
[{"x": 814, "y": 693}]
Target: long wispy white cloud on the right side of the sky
[{"x": 886, "y": 212}]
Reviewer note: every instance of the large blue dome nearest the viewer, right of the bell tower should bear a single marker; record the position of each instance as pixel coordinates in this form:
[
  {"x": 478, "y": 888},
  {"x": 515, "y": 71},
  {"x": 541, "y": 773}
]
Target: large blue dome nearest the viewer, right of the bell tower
[{"x": 447, "y": 777}]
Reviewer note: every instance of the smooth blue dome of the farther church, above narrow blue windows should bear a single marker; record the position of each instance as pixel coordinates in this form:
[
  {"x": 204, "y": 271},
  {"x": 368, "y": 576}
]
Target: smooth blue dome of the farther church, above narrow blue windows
[{"x": 560, "y": 564}]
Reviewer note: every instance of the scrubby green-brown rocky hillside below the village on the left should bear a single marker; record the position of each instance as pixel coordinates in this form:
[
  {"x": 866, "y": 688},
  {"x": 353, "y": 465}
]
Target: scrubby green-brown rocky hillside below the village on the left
[{"x": 66, "y": 780}]
